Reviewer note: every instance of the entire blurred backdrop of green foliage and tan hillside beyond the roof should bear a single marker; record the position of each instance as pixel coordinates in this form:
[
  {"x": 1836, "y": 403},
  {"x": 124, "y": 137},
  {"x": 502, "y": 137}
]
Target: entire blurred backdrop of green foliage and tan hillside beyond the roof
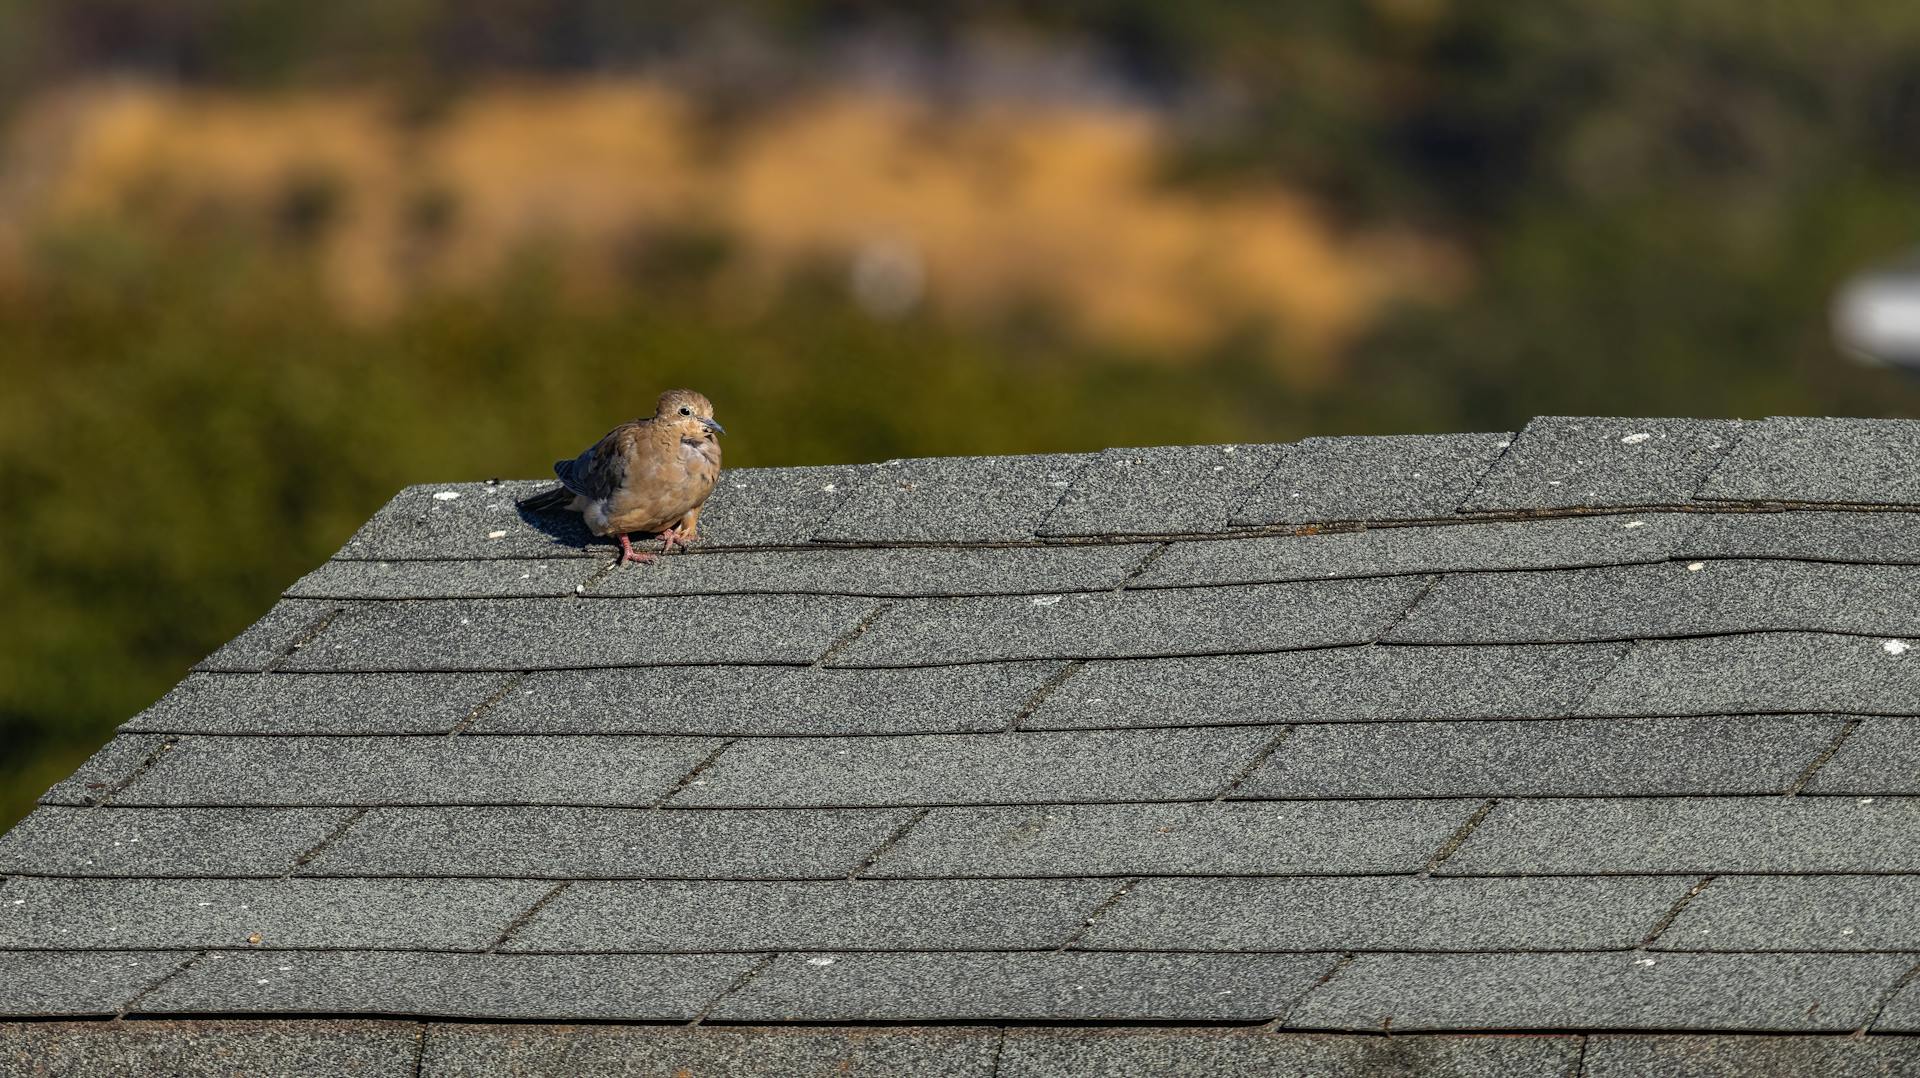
[{"x": 264, "y": 262}]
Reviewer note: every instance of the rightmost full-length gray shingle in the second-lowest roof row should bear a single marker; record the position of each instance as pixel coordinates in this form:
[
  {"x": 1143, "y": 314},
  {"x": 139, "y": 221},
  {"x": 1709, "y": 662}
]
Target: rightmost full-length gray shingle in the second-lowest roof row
[{"x": 1602, "y": 991}]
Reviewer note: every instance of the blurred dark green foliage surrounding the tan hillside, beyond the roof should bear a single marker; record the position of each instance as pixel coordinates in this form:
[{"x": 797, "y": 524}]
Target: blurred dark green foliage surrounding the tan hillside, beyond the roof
[{"x": 1658, "y": 201}]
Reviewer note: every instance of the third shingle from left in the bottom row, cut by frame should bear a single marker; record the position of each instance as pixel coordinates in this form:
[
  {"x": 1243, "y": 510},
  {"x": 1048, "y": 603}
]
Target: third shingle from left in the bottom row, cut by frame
[{"x": 1193, "y": 1054}]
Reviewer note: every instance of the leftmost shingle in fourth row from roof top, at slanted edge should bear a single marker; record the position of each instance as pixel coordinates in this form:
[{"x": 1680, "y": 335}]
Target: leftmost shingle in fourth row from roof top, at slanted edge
[{"x": 318, "y": 704}]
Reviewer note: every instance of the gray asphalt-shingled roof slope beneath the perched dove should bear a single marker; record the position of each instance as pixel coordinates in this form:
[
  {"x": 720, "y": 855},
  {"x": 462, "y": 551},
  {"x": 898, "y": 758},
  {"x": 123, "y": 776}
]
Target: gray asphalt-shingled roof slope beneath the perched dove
[{"x": 1608, "y": 725}]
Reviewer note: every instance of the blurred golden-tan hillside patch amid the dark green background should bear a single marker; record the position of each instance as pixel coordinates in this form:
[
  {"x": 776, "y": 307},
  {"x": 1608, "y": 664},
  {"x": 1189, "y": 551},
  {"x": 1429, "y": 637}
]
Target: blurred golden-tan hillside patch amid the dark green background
[{"x": 976, "y": 212}]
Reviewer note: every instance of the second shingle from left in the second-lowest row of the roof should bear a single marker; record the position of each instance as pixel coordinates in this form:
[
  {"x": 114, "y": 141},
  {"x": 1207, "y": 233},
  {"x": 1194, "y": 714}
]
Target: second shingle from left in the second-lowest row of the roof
[{"x": 443, "y": 985}]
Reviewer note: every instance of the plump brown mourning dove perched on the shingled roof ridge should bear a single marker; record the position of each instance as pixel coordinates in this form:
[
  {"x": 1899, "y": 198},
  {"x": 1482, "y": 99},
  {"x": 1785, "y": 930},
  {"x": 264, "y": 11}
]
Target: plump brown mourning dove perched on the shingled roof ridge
[{"x": 646, "y": 476}]
